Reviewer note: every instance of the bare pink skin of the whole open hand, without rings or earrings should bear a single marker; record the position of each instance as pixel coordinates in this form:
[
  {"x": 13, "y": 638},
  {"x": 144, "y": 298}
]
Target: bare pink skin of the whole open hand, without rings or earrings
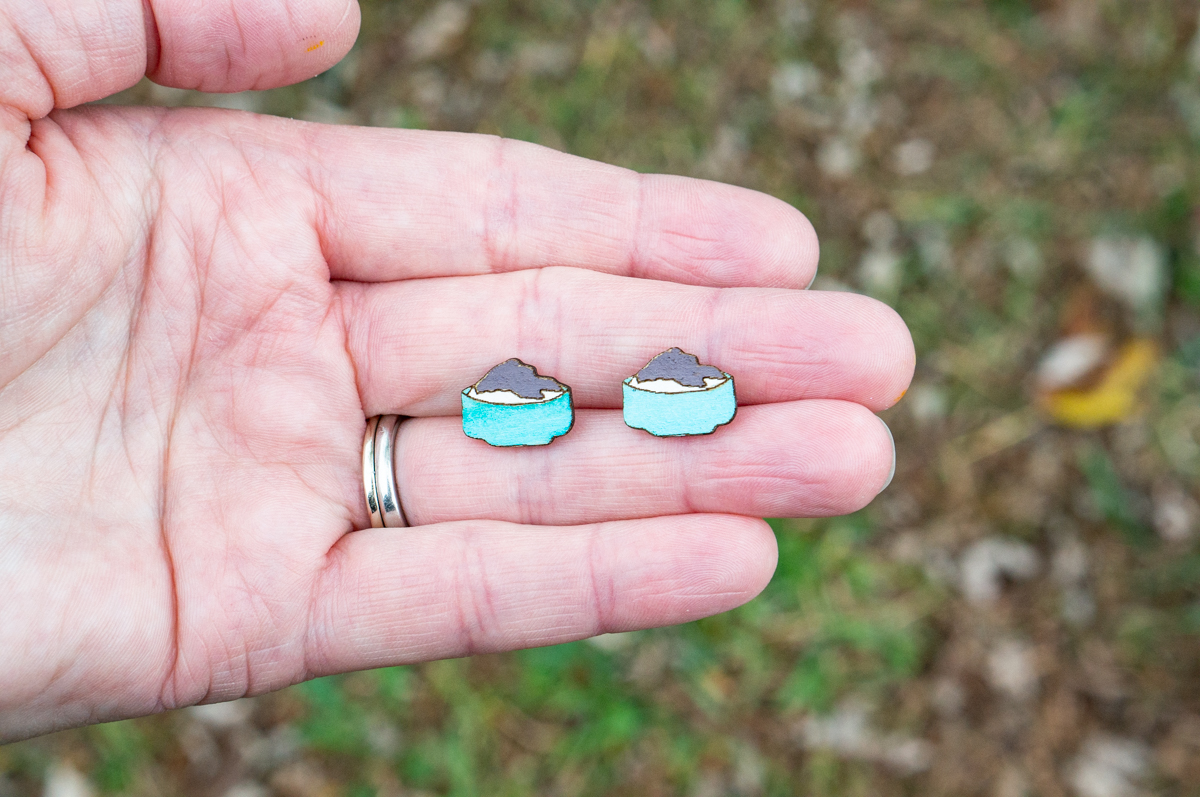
[{"x": 199, "y": 310}]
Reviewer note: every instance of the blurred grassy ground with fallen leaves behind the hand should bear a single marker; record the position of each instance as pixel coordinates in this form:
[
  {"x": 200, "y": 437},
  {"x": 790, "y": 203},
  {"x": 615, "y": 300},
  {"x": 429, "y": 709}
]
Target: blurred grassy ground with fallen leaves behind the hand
[{"x": 1019, "y": 613}]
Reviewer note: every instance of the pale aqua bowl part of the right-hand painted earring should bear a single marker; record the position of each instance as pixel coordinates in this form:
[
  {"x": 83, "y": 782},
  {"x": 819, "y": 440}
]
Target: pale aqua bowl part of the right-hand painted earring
[{"x": 676, "y": 415}]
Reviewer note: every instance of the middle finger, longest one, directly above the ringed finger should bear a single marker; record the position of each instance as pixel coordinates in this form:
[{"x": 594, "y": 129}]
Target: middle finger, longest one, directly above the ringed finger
[{"x": 416, "y": 345}]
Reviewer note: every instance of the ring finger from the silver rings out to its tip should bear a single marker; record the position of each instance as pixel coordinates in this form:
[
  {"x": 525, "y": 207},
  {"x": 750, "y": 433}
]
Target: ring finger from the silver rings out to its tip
[{"x": 795, "y": 459}]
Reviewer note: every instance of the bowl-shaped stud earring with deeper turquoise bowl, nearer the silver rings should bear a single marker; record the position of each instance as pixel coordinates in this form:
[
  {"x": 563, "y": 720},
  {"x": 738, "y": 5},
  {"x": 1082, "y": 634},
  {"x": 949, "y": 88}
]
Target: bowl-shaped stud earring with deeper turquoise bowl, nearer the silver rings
[{"x": 513, "y": 405}]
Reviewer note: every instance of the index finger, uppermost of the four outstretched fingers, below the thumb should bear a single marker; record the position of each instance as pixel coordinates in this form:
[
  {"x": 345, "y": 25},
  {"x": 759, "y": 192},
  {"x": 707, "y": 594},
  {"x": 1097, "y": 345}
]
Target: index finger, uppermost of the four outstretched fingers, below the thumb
[{"x": 403, "y": 205}]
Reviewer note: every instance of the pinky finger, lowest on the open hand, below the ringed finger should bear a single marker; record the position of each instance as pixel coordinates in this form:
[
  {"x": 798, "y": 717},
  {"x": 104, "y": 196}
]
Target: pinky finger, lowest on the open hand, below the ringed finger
[{"x": 397, "y": 597}]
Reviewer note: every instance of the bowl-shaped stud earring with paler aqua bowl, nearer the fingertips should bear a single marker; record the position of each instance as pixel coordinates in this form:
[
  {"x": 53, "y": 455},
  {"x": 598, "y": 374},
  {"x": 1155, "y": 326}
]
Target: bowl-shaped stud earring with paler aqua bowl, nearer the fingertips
[{"x": 674, "y": 395}]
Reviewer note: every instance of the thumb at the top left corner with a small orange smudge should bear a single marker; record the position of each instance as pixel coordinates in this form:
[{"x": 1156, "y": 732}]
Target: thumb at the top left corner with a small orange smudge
[{"x": 63, "y": 53}]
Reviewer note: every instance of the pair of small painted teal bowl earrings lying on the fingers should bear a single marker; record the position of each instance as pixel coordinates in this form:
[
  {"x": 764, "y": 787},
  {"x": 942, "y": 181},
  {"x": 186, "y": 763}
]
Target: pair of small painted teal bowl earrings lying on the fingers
[{"x": 674, "y": 395}]
